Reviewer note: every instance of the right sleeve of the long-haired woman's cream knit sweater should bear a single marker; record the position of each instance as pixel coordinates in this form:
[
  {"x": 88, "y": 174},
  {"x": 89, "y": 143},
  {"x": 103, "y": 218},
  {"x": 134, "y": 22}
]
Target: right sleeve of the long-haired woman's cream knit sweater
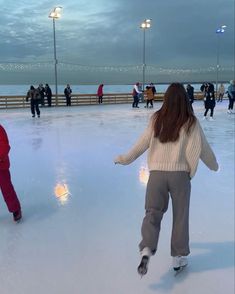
[{"x": 207, "y": 155}]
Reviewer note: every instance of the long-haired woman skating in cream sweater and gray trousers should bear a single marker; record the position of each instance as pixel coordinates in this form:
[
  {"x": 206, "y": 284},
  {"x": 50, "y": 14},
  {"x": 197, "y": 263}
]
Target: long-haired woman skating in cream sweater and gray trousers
[{"x": 175, "y": 143}]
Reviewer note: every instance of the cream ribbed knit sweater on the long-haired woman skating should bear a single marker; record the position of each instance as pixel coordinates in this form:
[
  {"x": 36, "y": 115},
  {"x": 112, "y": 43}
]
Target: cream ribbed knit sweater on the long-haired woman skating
[{"x": 182, "y": 155}]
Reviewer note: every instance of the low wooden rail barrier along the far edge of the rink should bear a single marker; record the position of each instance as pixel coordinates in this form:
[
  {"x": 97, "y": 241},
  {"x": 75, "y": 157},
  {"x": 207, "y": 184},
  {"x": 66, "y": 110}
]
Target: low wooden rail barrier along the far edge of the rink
[{"x": 18, "y": 101}]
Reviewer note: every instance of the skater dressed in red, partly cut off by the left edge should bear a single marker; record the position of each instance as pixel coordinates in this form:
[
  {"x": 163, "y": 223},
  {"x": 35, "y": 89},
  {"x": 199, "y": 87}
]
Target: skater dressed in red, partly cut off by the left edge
[{"x": 6, "y": 186}]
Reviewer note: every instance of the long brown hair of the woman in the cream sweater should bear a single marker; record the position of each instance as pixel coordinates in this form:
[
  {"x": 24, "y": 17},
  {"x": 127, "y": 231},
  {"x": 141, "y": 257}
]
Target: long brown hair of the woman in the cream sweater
[{"x": 175, "y": 112}]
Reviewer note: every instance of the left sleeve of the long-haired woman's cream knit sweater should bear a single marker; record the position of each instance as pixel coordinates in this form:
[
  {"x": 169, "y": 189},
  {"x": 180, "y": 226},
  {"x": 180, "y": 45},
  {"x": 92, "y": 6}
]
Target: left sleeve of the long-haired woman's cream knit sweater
[{"x": 138, "y": 149}]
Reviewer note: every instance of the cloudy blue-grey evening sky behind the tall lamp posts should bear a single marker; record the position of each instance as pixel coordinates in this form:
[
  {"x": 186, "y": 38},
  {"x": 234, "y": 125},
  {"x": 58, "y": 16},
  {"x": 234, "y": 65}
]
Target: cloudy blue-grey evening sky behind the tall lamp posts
[{"x": 101, "y": 41}]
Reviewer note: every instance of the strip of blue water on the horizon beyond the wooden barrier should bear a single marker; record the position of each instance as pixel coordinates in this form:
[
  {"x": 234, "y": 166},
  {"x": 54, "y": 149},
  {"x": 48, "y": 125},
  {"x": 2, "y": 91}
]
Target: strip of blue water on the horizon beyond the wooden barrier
[{"x": 10, "y": 90}]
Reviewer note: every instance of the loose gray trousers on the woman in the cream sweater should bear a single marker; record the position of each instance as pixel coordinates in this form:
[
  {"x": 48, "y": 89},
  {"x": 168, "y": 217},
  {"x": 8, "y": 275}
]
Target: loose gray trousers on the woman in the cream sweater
[{"x": 161, "y": 185}]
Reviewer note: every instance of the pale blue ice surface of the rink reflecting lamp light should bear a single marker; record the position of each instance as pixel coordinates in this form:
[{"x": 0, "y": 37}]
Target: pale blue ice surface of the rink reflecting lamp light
[{"x": 82, "y": 214}]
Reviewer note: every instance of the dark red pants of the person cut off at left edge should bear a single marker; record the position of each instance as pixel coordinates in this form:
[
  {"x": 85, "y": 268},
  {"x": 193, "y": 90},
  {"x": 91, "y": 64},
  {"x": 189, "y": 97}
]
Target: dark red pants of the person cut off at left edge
[{"x": 8, "y": 191}]
